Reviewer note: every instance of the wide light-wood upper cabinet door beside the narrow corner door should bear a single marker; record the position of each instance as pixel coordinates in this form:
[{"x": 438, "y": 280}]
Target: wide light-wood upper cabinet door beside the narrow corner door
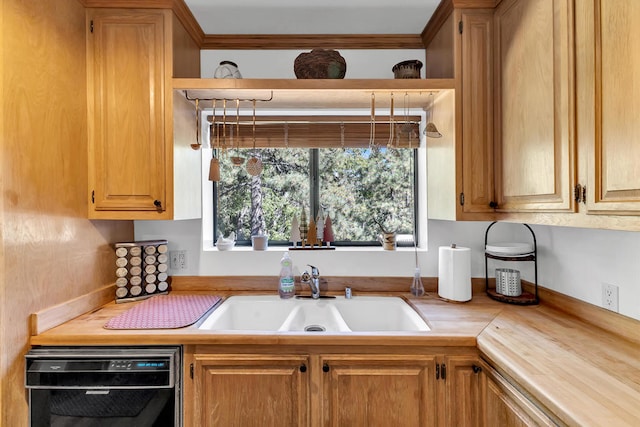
[{"x": 535, "y": 152}]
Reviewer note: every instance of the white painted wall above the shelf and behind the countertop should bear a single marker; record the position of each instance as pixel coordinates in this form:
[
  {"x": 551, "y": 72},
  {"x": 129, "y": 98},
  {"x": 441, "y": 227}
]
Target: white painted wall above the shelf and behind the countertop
[{"x": 573, "y": 261}]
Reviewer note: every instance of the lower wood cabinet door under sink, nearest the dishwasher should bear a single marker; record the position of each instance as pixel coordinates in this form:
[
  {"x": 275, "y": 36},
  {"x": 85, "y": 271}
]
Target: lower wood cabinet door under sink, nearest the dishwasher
[{"x": 251, "y": 390}]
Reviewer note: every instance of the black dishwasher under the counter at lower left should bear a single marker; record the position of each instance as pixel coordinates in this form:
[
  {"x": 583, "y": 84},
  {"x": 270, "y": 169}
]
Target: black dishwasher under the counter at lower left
[{"x": 104, "y": 386}]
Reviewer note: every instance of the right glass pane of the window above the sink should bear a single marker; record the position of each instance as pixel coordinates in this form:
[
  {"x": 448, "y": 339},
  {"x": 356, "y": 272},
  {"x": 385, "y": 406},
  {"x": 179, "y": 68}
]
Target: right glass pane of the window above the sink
[{"x": 363, "y": 190}]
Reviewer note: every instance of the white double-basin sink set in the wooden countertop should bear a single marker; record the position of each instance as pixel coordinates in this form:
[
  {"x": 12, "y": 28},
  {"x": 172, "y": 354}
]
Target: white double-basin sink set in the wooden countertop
[{"x": 358, "y": 314}]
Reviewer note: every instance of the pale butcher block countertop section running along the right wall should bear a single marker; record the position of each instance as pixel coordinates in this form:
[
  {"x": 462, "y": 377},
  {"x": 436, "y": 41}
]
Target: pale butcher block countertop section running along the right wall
[{"x": 582, "y": 374}]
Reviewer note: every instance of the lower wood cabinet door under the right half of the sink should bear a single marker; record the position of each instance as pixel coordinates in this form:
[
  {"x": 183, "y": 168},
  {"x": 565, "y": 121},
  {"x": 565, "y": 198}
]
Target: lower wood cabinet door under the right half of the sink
[{"x": 381, "y": 390}]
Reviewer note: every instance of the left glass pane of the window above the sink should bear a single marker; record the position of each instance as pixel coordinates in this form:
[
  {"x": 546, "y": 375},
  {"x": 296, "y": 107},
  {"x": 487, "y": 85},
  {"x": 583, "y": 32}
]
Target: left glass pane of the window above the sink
[{"x": 280, "y": 190}]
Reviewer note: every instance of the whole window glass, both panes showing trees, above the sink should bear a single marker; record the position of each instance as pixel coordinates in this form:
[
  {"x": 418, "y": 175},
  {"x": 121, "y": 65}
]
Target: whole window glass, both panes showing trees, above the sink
[{"x": 361, "y": 190}]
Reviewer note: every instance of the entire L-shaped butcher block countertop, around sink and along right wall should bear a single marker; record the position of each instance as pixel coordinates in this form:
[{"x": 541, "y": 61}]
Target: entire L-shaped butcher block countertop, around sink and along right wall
[{"x": 581, "y": 373}]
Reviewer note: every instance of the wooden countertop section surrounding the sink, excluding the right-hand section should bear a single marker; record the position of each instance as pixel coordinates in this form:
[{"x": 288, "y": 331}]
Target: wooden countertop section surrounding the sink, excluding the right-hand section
[{"x": 451, "y": 325}]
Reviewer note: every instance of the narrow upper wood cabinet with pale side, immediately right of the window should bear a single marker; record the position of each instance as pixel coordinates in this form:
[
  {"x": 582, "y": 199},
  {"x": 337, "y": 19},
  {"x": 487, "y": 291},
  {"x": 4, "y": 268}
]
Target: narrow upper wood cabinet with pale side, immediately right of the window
[{"x": 460, "y": 165}]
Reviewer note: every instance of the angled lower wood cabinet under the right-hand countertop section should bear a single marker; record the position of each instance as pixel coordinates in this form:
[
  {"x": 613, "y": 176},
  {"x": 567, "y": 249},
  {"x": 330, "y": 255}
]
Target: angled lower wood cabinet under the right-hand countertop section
[{"x": 505, "y": 405}]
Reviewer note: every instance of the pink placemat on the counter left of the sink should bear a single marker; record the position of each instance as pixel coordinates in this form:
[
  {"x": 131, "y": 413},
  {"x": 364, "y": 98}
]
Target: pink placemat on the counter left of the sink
[{"x": 164, "y": 312}]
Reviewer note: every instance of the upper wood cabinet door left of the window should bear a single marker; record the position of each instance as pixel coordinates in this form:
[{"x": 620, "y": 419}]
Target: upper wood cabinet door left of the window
[{"x": 127, "y": 59}]
